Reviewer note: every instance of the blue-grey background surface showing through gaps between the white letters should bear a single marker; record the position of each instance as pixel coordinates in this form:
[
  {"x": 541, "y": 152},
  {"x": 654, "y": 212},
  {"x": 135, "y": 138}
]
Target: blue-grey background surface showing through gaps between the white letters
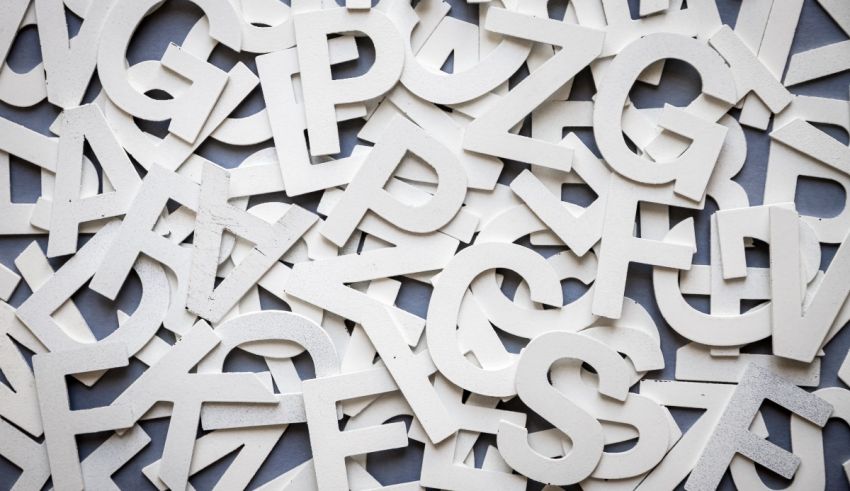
[{"x": 678, "y": 86}]
